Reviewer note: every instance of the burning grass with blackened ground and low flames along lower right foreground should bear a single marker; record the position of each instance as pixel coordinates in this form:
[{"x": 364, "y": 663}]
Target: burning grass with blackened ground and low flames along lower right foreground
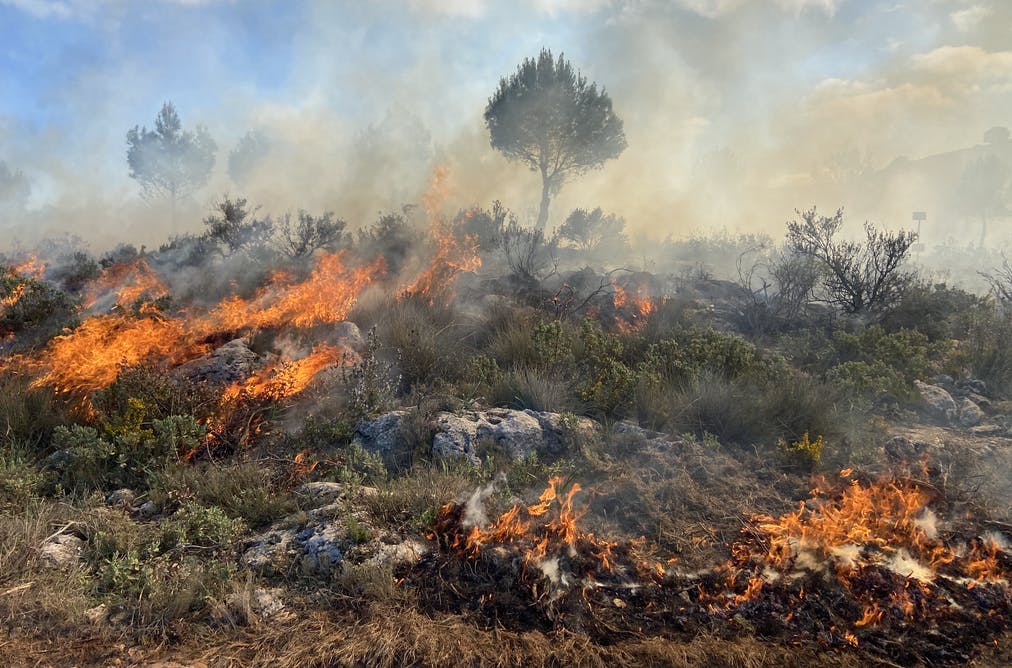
[{"x": 855, "y": 567}]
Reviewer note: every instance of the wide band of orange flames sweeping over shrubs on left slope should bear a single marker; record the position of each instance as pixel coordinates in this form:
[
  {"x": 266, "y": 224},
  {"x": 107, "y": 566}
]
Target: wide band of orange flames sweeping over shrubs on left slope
[{"x": 92, "y": 357}]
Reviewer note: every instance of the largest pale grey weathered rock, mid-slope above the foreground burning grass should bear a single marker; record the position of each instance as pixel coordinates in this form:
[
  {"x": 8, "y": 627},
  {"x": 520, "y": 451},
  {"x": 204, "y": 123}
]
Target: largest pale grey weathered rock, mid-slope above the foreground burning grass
[{"x": 518, "y": 434}]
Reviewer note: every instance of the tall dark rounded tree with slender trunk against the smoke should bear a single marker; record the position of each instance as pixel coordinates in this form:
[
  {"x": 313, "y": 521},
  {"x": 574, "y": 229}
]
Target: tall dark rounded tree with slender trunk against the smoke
[{"x": 549, "y": 117}]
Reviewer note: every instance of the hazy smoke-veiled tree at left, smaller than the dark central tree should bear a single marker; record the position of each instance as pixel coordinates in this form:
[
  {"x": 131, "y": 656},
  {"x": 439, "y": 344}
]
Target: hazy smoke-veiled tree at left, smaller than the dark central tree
[{"x": 170, "y": 161}]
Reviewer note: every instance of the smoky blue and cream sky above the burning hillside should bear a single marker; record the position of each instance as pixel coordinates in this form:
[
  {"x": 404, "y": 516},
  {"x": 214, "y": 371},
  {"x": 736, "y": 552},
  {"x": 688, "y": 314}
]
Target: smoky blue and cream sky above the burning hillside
[{"x": 736, "y": 112}]
